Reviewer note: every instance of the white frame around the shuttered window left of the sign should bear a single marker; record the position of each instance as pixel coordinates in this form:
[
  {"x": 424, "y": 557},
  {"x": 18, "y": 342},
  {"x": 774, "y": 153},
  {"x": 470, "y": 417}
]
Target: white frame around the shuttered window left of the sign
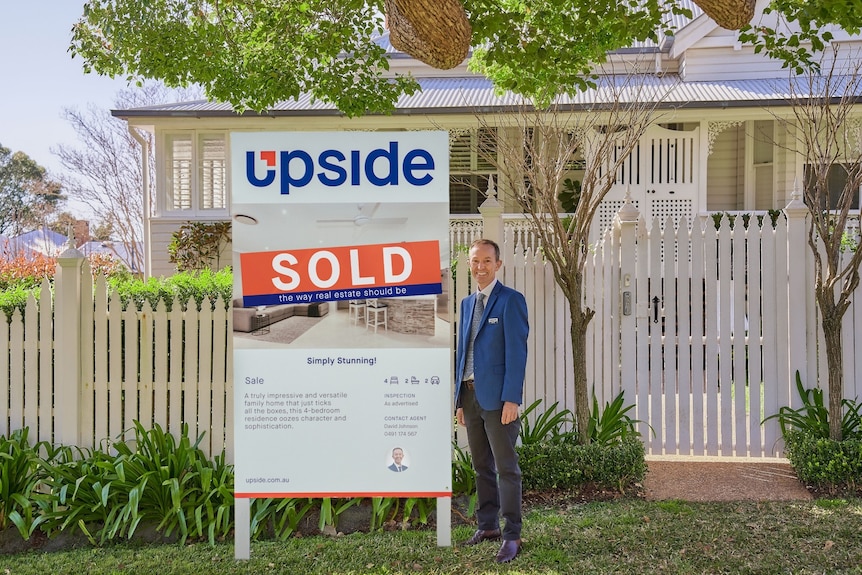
[{"x": 196, "y": 204}]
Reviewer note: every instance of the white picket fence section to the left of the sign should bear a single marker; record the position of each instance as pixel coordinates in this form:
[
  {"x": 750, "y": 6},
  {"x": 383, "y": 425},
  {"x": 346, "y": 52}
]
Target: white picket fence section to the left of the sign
[{"x": 82, "y": 376}]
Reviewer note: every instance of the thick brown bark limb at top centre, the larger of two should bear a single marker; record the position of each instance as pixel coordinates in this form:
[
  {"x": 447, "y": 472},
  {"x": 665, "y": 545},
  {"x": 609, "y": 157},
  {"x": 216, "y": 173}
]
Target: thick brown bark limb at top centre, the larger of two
[{"x": 436, "y": 32}]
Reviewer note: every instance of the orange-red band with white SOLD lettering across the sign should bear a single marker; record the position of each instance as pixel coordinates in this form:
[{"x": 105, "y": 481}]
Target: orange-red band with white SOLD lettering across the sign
[{"x": 346, "y": 267}]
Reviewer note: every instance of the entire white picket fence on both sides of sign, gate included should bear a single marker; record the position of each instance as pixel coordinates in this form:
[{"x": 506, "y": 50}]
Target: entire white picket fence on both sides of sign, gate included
[{"x": 707, "y": 347}]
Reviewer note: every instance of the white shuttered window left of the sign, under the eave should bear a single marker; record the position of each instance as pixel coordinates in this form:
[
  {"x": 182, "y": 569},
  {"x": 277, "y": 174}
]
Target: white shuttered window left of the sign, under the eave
[{"x": 195, "y": 171}]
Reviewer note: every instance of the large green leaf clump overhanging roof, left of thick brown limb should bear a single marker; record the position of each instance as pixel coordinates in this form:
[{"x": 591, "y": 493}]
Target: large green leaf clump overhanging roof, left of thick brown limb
[{"x": 250, "y": 53}]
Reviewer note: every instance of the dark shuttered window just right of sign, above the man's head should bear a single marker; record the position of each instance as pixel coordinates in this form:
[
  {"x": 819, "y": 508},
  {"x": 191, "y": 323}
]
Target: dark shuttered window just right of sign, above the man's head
[{"x": 472, "y": 155}]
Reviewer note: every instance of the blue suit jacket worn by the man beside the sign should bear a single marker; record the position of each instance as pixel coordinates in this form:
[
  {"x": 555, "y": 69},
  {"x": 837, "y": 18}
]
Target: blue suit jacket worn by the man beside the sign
[{"x": 499, "y": 350}]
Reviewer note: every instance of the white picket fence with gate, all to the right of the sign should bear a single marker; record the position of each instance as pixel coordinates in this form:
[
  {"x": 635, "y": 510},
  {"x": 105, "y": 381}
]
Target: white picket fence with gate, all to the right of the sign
[{"x": 717, "y": 324}]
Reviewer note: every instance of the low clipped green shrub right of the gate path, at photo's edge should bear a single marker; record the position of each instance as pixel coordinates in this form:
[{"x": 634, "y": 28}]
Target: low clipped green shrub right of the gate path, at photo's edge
[{"x": 827, "y": 465}]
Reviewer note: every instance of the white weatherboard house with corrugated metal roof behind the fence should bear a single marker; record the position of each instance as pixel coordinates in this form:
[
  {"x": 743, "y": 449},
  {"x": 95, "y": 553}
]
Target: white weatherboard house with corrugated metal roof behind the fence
[{"x": 718, "y": 146}]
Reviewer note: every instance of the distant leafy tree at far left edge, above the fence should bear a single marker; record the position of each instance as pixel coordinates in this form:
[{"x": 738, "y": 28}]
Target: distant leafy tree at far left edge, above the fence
[{"x": 27, "y": 194}]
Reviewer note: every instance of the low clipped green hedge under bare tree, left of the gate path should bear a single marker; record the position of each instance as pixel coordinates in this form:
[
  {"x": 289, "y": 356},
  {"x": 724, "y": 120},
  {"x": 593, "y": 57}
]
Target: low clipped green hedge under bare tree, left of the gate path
[{"x": 568, "y": 465}]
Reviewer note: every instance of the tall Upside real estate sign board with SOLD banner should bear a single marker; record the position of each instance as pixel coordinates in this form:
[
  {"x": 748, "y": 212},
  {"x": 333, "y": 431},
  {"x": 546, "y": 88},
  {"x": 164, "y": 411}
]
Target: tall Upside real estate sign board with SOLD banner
[{"x": 341, "y": 320}]
